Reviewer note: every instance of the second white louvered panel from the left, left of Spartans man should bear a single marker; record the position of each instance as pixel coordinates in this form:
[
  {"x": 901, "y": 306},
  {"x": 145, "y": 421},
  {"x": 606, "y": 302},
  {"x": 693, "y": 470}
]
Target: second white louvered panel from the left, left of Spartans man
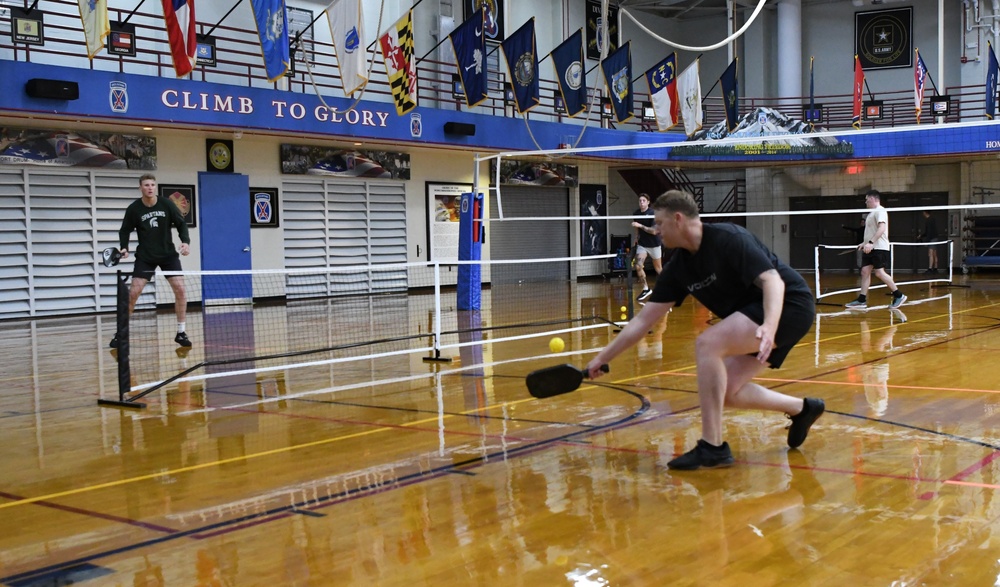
[{"x": 61, "y": 233}]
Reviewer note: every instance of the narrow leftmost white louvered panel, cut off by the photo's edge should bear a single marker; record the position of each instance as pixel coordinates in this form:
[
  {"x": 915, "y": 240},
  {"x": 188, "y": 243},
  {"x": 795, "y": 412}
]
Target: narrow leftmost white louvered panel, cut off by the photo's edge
[{"x": 15, "y": 279}]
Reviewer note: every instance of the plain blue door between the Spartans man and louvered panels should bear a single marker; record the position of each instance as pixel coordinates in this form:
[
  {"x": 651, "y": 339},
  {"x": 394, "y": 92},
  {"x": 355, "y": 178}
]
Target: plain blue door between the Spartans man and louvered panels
[{"x": 224, "y": 199}]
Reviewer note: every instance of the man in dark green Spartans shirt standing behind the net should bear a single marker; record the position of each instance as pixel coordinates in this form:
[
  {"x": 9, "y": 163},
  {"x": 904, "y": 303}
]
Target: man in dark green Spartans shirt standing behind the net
[{"x": 151, "y": 218}]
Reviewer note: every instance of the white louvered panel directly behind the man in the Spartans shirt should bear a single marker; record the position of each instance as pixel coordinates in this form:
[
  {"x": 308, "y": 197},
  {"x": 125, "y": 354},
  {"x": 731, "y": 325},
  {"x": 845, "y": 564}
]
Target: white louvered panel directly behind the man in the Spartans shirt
[{"x": 113, "y": 194}]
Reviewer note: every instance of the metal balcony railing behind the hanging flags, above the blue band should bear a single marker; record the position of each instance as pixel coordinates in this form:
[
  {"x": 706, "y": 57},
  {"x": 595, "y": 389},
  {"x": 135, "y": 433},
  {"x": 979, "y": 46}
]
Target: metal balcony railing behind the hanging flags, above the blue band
[{"x": 239, "y": 63}]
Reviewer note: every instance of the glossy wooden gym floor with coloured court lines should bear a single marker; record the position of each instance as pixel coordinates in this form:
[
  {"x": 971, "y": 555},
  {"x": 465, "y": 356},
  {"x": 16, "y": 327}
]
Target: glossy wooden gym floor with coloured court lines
[{"x": 393, "y": 471}]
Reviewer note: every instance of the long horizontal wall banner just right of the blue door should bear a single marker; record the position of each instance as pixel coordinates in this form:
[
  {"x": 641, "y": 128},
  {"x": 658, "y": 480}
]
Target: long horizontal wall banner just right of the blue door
[{"x": 315, "y": 160}]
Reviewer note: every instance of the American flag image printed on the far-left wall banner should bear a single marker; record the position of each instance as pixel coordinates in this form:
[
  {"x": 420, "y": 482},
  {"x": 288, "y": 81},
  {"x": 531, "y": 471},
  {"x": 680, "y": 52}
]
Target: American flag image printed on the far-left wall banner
[{"x": 62, "y": 150}]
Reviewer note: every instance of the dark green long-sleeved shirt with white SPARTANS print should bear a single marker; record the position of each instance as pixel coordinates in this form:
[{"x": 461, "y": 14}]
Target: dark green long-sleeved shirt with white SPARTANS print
[{"x": 152, "y": 224}]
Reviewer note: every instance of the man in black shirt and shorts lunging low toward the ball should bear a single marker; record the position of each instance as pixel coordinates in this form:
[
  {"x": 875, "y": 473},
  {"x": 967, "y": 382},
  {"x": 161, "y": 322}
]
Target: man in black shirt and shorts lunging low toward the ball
[{"x": 765, "y": 307}]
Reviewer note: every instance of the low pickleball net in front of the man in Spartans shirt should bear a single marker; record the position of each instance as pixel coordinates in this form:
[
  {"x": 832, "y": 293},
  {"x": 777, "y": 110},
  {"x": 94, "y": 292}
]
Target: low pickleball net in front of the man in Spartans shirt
[{"x": 322, "y": 327}]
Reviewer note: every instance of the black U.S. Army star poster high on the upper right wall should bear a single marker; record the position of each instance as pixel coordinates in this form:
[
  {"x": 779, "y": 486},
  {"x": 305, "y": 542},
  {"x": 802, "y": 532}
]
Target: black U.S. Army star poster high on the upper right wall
[{"x": 883, "y": 39}]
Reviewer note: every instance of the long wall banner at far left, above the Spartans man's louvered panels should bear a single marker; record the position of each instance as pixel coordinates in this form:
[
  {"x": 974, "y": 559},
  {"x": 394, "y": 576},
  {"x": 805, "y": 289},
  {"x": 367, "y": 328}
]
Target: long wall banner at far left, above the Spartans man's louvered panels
[{"x": 32, "y": 146}]
